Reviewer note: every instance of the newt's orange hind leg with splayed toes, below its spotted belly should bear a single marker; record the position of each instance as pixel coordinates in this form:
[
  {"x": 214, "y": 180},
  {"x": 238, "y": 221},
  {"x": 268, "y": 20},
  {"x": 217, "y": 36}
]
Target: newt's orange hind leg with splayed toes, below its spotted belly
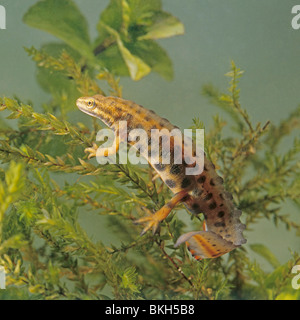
[{"x": 152, "y": 221}]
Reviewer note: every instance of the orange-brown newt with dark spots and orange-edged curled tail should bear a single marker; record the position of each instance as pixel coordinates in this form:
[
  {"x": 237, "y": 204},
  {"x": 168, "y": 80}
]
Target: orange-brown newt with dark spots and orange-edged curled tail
[{"x": 201, "y": 193}]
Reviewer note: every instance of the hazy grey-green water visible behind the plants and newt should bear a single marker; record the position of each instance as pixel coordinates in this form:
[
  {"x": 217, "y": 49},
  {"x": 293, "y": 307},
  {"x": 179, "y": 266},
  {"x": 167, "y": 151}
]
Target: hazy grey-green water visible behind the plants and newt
[{"x": 256, "y": 34}]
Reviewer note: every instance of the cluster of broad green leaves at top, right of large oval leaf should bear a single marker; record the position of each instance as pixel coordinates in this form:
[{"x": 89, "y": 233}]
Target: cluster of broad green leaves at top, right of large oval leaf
[{"x": 126, "y": 28}]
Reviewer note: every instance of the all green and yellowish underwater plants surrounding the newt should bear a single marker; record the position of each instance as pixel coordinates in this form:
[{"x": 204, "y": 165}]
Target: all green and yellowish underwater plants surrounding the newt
[{"x": 47, "y": 185}]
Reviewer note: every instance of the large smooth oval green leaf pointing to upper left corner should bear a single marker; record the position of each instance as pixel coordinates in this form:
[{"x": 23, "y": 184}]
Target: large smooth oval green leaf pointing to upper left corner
[{"x": 62, "y": 19}]
